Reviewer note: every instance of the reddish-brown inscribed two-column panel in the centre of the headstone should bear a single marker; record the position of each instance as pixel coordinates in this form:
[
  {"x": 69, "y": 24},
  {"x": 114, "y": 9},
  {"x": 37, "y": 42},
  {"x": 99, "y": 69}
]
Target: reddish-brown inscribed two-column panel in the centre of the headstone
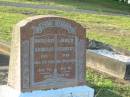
[{"x": 54, "y": 57}]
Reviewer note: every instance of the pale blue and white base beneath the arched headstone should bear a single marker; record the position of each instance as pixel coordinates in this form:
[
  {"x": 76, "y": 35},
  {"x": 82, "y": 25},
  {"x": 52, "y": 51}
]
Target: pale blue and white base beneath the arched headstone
[{"x": 79, "y": 91}]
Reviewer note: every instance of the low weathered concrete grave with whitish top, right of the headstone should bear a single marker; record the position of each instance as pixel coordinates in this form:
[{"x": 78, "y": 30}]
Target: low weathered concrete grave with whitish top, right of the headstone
[{"x": 109, "y": 62}]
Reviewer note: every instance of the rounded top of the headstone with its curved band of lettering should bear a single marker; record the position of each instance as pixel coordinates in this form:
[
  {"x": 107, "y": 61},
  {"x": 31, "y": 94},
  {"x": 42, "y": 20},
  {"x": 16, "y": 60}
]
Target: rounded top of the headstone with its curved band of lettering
[{"x": 42, "y": 22}]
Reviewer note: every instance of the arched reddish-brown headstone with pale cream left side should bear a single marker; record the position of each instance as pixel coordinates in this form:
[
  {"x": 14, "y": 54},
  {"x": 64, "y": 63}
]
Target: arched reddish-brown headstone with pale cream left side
[{"x": 47, "y": 52}]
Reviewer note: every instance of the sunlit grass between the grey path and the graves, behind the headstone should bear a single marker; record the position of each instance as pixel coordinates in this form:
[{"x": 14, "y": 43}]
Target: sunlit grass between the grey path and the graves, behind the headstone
[{"x": 113, "y": 30}]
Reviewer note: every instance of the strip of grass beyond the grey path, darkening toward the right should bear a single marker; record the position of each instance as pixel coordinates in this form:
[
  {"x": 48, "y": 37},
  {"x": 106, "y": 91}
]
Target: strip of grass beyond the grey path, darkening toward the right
[{"x": 112, "y": 6}]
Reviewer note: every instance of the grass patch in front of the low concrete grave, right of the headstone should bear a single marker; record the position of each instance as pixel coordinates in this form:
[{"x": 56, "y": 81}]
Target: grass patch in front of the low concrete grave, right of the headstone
[{"x": 106, "y": 86}]
